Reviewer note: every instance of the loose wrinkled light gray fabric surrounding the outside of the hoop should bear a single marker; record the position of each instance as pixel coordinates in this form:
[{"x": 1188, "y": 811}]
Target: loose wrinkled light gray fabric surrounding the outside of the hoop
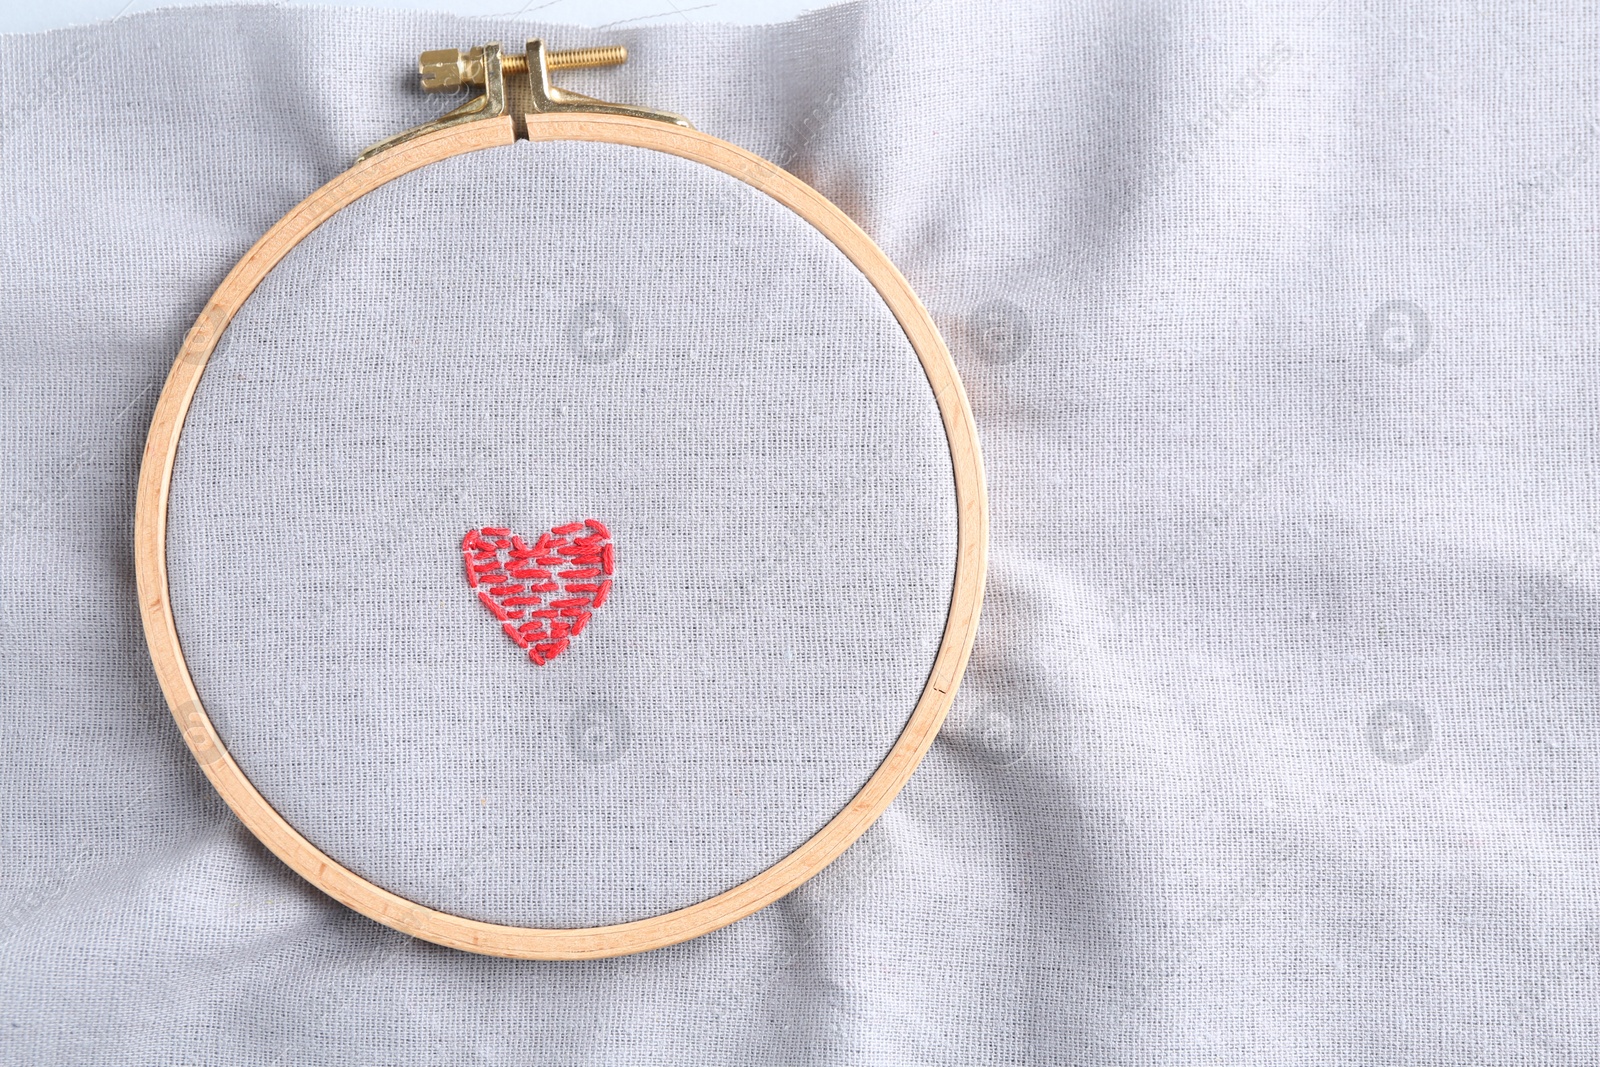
[{"x": 1278, "y": 746}]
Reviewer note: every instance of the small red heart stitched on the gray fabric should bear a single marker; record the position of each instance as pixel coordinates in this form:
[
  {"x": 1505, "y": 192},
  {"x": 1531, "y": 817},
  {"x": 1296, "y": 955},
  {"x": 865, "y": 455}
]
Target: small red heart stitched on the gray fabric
[{"x": 545, "y": 593}]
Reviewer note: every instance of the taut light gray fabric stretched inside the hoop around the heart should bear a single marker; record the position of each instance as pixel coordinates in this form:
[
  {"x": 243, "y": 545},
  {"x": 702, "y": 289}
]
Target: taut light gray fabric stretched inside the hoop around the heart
[{"x": 516, "y": 340}]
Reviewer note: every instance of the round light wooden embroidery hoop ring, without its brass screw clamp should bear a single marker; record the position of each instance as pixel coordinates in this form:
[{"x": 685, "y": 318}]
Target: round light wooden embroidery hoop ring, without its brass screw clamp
[{"x": 345, "y": 885}]
